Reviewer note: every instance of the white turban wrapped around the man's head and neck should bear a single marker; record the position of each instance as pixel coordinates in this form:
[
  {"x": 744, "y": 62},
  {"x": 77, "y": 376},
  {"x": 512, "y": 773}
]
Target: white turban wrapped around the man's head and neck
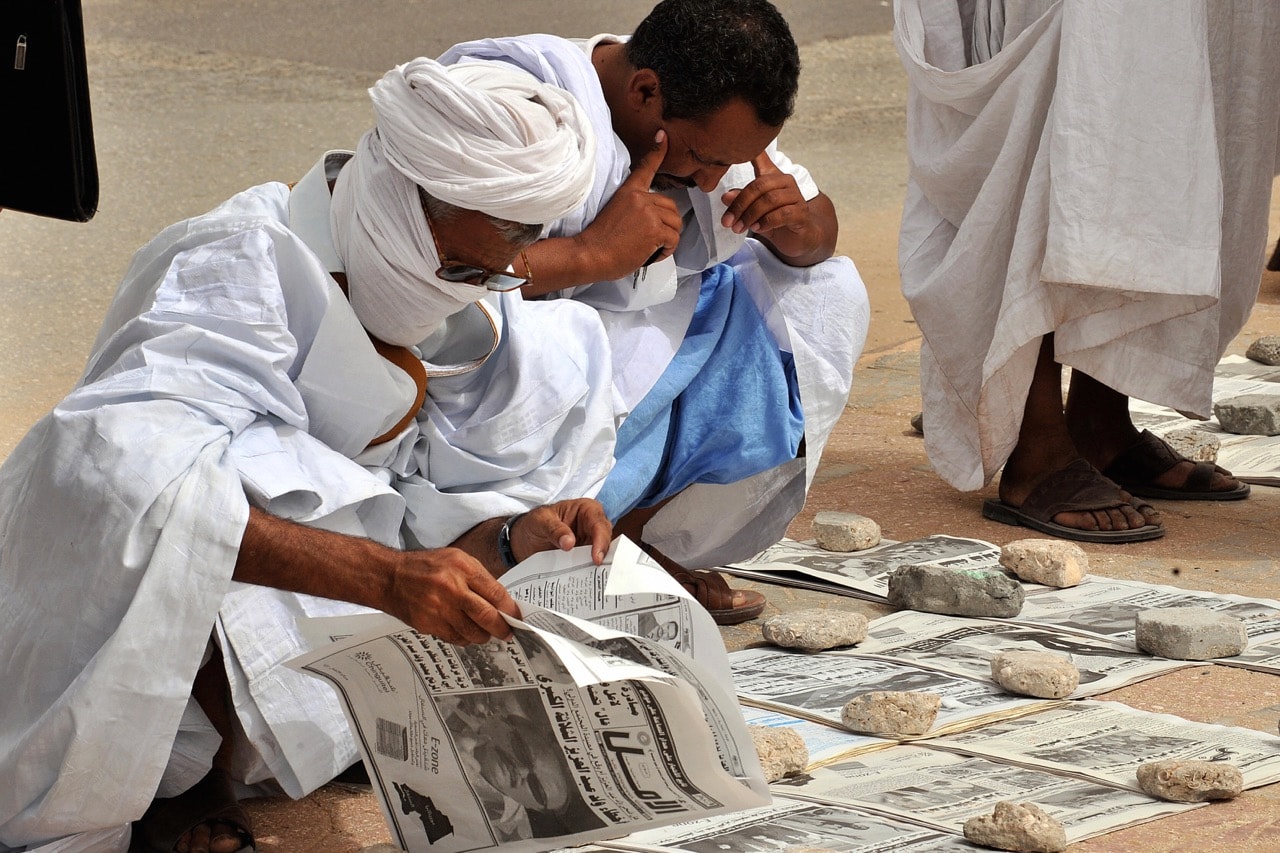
[{"x": 482, "y": 136}]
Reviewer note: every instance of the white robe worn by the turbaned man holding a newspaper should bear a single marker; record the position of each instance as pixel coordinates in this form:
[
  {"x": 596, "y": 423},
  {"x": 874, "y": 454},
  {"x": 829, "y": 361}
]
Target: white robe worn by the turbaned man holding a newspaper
[{"x": 231, "y": 370}]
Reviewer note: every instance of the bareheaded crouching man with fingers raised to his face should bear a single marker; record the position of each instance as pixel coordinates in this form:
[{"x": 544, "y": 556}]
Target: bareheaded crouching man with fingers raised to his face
[{"x": 710, "y": 257}]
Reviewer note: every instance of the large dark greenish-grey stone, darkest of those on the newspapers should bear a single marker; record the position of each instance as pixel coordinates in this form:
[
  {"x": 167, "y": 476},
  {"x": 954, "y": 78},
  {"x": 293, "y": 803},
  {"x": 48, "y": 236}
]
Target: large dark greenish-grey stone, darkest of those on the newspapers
[{"x": 956, "y": 592}]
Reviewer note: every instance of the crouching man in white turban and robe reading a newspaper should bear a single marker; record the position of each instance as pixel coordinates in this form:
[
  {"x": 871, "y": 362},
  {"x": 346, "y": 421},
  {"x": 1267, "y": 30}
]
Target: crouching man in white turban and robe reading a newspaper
[{"x": 227, "y": 464}]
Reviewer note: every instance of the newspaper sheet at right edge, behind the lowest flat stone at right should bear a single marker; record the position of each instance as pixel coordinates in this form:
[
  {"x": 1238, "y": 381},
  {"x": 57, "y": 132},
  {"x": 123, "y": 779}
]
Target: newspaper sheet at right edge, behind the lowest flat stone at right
[{"x": 1108, "y": 741}]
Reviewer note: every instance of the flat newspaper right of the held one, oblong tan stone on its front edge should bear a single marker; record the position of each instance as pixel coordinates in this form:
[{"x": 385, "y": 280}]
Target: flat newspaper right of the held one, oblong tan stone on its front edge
[{"x": 819, "y": 686}]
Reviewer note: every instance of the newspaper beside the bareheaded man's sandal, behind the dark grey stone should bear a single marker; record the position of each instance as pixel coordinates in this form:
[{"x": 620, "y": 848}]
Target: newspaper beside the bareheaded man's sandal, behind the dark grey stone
[{"x": 862, "y": 574}]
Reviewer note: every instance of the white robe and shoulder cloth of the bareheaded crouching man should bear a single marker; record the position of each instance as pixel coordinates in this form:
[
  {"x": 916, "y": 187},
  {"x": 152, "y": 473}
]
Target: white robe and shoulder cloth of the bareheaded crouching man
[{"x": 817, "y": 313}]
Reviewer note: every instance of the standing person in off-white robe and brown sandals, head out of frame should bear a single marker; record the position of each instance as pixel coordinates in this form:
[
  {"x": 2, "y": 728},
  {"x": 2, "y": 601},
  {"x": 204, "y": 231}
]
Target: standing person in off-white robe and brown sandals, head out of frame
[{"x": 1090, "y": 186}]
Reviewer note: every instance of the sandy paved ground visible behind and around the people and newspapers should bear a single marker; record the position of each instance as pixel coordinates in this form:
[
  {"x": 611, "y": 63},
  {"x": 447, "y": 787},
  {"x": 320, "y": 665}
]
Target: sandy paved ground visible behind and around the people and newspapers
[{"x": 195, "y": 101}]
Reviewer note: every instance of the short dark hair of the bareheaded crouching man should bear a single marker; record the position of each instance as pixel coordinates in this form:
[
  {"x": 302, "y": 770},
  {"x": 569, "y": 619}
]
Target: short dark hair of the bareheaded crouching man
[{"x": 708, "y": 53}]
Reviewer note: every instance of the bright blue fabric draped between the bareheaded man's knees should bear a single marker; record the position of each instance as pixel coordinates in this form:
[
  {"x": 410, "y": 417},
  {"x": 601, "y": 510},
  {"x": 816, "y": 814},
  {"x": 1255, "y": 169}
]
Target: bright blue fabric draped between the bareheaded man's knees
[{"x": 726, "y": 408}]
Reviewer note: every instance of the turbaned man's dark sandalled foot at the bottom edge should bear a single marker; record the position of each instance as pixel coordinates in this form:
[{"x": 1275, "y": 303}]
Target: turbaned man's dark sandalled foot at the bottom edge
[{"x": 204, "y": 819}]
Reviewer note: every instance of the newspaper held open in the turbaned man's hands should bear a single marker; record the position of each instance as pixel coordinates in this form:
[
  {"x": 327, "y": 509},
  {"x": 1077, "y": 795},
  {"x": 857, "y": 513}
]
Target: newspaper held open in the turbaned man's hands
[{"x": 569, "y": 733}]
